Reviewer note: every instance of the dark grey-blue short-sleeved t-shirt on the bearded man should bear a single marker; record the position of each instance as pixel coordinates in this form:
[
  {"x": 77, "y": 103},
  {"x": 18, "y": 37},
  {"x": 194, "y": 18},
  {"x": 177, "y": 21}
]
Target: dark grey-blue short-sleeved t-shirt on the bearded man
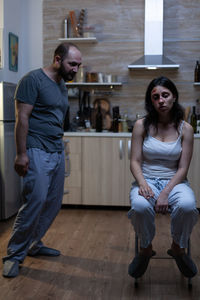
[{"x": 50, "y": 103}]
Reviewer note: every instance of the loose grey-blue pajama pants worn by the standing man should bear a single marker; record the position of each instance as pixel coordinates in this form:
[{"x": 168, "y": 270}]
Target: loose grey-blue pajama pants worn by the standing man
[{"x": 43, "y": 188}]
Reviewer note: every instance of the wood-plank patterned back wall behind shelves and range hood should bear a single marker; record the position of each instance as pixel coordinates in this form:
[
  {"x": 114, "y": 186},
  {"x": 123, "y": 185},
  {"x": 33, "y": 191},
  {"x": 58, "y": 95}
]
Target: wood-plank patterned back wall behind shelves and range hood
[{"x": 119, "y": 28}]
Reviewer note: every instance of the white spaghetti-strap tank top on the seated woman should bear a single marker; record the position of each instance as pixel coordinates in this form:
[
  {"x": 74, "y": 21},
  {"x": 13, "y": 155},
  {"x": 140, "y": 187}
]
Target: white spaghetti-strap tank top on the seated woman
[{"x": 160, "y": 159}]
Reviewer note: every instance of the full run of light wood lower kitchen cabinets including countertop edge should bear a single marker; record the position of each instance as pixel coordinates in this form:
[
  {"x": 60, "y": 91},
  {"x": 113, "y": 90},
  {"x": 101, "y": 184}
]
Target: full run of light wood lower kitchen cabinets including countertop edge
[{"x": 100, "y": 170}]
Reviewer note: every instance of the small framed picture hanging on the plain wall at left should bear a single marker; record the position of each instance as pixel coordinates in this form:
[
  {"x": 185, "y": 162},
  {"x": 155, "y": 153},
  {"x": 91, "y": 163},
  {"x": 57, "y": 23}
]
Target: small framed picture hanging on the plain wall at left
[{"x": 13, "y": 52}]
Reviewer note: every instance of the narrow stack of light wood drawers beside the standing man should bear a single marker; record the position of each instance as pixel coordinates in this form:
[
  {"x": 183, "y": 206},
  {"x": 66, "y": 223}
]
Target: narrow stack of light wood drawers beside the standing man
[{"x": 72, "y": 188}]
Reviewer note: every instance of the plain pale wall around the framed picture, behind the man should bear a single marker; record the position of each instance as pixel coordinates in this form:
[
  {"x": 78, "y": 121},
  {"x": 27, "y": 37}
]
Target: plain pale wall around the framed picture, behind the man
[{"x": 24, "y": 19}]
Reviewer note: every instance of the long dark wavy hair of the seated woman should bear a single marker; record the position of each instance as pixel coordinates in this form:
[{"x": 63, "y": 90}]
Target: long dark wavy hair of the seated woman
[{"x": 177, "y": 111}]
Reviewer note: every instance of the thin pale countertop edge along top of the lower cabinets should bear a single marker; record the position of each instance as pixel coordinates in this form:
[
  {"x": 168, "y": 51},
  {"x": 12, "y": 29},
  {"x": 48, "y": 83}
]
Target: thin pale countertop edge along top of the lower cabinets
[{"x": 104, "y": 134}]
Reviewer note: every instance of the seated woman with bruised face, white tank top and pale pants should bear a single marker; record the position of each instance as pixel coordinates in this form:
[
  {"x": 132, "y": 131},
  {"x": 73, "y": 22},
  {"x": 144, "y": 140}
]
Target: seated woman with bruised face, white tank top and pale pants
[{"x": 161, "y": 151}]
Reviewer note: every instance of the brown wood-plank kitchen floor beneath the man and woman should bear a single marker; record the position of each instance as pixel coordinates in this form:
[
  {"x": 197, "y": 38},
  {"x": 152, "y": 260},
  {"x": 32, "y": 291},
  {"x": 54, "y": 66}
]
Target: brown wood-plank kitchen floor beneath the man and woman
[{"x": 97, "y": 246}]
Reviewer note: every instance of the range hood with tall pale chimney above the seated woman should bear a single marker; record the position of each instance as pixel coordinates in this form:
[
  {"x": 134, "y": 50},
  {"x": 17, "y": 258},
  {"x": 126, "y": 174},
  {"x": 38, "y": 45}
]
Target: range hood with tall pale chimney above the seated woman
[{"x": 153, "y": 39}]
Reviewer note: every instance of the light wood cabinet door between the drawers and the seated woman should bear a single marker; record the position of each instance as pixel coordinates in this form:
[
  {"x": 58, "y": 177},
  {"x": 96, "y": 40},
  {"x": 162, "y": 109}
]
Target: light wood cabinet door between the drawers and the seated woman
[{"x": 105, "y": 174}]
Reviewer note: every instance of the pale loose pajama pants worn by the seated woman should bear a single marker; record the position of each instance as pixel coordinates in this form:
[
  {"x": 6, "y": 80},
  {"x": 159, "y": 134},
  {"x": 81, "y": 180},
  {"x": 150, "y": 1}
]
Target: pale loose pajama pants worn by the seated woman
[{"x": 184, "y": 214}]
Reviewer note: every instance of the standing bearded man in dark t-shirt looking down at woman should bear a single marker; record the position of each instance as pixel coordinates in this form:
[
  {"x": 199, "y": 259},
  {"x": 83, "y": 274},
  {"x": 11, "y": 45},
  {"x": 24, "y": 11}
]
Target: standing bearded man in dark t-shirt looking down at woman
[{"x": 41, "y": 104}]
